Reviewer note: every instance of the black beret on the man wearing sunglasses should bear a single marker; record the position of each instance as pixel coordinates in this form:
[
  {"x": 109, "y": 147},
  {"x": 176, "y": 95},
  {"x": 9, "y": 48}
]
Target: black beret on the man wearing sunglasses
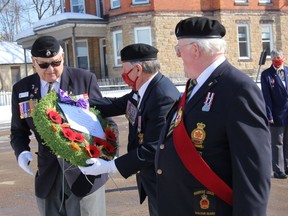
[{"x": 45, "y": 47}]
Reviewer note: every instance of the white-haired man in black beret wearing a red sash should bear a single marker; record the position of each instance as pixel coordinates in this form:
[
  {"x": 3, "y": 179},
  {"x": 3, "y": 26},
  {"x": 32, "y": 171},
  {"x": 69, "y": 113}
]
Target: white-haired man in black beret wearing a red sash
[{"x": 214, "y": 155}]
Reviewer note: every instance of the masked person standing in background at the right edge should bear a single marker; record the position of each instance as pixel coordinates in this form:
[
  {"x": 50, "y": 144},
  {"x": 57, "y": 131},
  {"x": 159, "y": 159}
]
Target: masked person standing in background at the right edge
[{"x": 274, "y": 85}]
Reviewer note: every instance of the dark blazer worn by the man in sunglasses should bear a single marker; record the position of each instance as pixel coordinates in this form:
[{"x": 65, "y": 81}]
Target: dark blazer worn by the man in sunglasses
[{"x": 77, "y": 81}]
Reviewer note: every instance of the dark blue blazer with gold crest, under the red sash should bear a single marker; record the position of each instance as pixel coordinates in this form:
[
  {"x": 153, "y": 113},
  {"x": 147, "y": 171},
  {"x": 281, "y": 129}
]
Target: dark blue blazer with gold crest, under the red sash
[{"x": 236, "y": 147}]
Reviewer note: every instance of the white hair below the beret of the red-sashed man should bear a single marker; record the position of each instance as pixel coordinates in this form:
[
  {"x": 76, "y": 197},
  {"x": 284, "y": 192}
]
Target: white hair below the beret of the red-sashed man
[{"x": 211, "y": 46}]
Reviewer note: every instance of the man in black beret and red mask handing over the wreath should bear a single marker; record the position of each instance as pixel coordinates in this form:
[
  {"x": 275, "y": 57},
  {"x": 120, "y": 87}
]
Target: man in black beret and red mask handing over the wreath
[{"x": 145, "y": 107}]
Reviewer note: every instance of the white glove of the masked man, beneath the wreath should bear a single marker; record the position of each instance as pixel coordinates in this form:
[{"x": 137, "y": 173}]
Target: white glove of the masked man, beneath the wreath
[{"x": 99, "y": 166}]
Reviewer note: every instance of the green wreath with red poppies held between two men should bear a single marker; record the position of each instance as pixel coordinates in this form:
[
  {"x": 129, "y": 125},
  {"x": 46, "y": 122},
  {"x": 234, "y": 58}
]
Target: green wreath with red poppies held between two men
[{"x": 73, "y": 146}]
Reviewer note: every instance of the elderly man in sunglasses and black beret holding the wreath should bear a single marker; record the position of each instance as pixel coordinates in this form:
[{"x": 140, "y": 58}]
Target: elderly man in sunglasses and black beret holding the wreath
[{"x": 61, "y": 189}]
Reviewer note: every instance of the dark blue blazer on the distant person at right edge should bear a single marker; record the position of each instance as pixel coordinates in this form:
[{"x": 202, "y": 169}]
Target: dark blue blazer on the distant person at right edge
[{"x": 276, "y": 96}]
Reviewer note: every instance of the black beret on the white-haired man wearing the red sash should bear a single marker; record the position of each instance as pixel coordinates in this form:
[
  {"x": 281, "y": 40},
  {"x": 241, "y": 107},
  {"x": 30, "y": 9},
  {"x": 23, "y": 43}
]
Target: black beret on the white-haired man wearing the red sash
[{"x": 199, "y": 27}]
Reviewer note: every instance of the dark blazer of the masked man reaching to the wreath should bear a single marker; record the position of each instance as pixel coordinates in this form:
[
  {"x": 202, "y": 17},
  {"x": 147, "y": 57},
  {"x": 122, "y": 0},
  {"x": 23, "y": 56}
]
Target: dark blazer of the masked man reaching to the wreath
[{"x": 157, "y": 100}]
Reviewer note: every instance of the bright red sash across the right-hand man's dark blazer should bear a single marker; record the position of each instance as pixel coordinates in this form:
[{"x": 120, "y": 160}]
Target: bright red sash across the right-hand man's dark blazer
[{"x": 194, "y": 163}]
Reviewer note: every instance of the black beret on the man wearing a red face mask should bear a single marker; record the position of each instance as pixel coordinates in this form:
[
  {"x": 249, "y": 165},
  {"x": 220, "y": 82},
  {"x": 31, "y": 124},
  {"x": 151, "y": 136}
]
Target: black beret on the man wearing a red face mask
[{"x": 138, "y": 52}]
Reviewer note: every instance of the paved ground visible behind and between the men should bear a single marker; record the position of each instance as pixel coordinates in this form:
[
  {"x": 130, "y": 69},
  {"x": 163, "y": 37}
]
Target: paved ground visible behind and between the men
[{"x": 17, "y": 192}]
